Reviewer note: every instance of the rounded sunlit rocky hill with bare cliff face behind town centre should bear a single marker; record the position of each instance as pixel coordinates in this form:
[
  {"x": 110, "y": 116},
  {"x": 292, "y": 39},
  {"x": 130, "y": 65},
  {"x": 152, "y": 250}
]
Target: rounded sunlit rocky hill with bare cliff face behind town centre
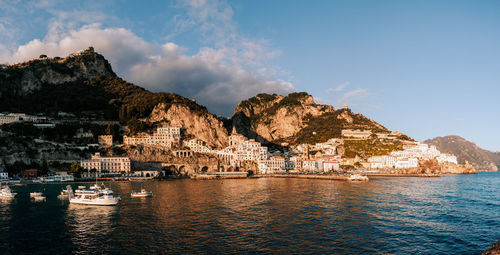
[{"x": 295, "y": 118}]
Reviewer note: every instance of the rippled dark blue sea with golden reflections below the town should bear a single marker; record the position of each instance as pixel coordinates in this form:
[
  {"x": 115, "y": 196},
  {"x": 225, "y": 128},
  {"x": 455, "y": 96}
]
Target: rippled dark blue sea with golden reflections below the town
[{"x": 455, "y": 214}]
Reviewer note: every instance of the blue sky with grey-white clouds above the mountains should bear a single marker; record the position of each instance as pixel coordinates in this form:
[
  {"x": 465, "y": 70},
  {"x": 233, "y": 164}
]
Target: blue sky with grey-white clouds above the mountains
[{"x": 426, "y": 68}]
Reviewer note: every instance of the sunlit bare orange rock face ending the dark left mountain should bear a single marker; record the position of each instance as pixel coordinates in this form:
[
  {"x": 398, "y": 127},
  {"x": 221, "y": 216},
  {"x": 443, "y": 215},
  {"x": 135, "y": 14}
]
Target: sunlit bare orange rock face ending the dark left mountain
[{"x": 202, "y": 125}]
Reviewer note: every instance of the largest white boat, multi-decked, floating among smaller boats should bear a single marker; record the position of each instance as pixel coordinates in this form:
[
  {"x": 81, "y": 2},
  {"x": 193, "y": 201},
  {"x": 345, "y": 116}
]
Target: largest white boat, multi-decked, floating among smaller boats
[{"x": 95, "y": 195}]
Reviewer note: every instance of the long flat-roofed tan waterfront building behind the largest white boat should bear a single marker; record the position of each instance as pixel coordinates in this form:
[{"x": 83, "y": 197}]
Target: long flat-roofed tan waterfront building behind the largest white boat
[{"x": 112, "y": 164}]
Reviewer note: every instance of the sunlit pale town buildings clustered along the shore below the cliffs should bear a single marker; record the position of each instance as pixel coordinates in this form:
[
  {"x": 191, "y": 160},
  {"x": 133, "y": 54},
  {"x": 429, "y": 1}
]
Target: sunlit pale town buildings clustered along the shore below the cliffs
[{"x": 317, "y": 158}]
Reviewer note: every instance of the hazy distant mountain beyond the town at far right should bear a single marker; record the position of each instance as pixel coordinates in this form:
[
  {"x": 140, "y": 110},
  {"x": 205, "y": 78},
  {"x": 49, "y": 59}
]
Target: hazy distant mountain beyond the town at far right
[{"x": 467, "y": 151}]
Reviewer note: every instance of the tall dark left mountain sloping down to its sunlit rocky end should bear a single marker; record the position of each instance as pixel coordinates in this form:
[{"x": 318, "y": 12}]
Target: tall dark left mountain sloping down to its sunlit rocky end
[{"x": 84, "y": 84}]
